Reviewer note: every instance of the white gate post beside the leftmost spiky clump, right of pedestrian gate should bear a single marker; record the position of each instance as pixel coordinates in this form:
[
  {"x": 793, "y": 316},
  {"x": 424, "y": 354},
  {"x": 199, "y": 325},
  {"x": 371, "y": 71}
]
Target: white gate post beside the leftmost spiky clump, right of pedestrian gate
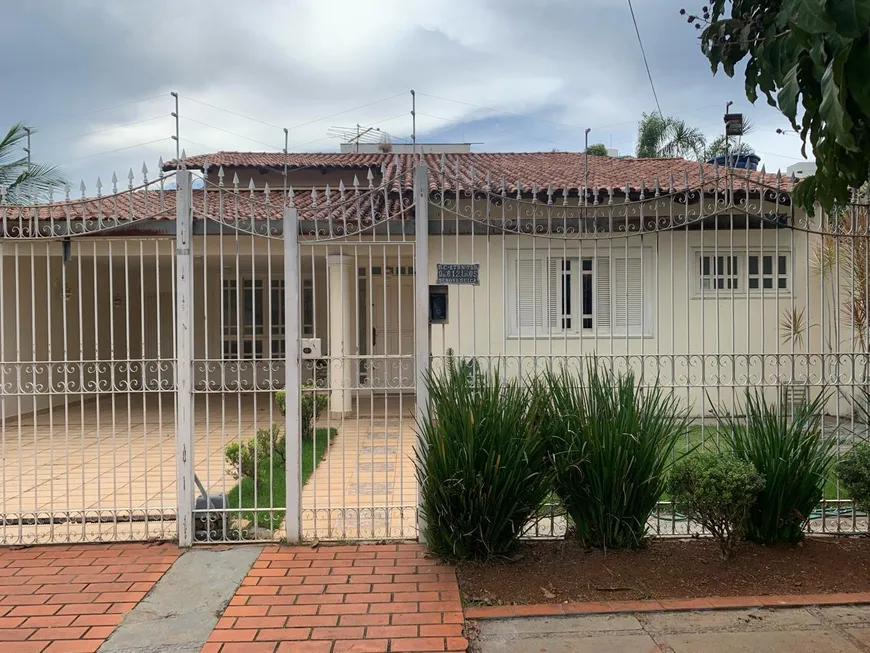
[{"x": 421, "y": 305}]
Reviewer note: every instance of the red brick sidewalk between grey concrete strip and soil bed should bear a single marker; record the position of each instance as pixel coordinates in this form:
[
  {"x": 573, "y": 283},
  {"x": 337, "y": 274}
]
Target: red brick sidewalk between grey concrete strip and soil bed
[{"x": 338, "y": 599}]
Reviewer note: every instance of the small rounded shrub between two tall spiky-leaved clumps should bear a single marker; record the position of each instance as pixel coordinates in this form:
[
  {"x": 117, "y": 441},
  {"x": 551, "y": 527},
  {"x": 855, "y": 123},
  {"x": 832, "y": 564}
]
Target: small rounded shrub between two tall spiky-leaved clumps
[{"x": 716, "y": 490}]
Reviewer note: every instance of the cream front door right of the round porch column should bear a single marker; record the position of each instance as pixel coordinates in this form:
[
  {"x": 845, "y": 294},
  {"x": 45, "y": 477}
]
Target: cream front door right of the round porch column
[{"x": 392, "y": 320}]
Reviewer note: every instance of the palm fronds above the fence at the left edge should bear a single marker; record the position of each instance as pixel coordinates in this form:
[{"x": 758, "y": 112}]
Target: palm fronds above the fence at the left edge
[{"x": 21, "y": 181}]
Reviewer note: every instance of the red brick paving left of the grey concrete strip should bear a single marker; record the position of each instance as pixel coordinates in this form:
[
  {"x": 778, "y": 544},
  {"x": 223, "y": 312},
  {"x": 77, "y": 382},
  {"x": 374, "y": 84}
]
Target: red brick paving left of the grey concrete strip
[{"x": 68, "y": 599}]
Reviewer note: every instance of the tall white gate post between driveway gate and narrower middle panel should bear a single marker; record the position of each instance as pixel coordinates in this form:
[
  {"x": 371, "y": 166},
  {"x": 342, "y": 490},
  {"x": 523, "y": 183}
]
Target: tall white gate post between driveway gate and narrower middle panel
[{"x": 184, "y": 357}]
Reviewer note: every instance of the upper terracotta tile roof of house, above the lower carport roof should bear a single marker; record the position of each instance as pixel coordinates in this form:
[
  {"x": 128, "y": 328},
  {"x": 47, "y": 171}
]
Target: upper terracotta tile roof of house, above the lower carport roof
[{"x": 541, "y": 170}]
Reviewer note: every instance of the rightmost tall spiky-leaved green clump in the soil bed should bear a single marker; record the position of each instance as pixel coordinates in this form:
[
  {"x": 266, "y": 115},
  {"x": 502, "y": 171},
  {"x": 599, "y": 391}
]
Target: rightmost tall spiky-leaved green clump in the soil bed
[{"x": 792, "y": 455}]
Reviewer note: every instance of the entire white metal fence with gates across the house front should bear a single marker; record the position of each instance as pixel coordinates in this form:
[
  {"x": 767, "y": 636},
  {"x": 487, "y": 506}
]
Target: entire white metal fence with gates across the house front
[{"x": 253, "y": 369}]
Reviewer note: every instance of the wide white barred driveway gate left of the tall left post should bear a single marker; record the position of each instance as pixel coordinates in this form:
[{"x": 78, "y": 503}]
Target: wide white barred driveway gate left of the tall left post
[{"x": 87, "y": 369}]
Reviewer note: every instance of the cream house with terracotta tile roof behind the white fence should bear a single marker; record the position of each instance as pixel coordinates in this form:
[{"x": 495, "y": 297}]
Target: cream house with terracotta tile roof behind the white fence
[{"x": 697, "y": 278}]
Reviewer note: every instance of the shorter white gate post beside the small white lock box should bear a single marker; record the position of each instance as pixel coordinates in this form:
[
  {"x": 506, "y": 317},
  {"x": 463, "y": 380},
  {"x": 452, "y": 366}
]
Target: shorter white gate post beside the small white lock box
[{"x": 293, "y": 409}]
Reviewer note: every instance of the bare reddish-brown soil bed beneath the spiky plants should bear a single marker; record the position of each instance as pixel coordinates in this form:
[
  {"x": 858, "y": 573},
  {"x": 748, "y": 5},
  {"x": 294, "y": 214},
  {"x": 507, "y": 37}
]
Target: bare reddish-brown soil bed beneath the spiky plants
[{"x": 556, "y": 572}]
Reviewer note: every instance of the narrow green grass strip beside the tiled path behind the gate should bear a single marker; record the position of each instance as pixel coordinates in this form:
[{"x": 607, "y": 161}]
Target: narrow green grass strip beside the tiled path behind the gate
[{"x": 270, "y": 489}]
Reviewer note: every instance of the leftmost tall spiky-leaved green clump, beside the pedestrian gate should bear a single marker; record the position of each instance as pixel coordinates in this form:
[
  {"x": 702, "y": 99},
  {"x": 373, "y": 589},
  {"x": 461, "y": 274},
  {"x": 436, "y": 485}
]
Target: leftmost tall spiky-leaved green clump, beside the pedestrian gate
[{"x": 482, "y": 465}]
